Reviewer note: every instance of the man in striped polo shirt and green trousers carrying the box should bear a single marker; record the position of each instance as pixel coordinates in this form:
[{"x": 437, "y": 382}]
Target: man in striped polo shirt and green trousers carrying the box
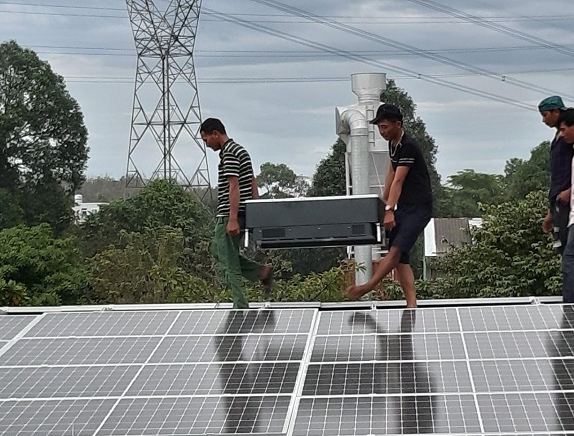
[{"x": 236, "y": 185}]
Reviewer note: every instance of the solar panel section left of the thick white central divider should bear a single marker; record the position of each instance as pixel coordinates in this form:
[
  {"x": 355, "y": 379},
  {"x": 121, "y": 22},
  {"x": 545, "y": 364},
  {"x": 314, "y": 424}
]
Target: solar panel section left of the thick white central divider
[{"x": 156, "y": 372}]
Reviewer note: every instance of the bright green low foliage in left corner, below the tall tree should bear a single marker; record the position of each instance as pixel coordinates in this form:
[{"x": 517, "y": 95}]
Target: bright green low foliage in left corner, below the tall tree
[{"x": 38, "y": 269}]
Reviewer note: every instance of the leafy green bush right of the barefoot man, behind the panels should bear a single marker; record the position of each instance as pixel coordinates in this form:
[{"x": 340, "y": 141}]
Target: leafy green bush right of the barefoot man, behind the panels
[{"x": 509, "y": 256}]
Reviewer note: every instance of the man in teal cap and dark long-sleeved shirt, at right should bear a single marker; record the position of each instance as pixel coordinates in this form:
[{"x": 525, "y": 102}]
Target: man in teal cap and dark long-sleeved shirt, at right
[{"x": 556, "y": 220}]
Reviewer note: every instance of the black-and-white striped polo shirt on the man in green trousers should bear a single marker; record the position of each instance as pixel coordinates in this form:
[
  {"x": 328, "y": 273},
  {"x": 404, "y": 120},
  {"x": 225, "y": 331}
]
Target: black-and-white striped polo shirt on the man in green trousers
[{"x": 233, "y": 161}]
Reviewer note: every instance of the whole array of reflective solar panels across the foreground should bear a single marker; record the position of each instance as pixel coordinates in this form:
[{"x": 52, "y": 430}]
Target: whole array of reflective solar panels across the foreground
[{"x": 476, "y": 370}]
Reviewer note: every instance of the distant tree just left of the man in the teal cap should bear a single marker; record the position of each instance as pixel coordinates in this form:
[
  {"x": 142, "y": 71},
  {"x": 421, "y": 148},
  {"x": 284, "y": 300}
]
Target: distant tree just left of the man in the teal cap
[{"x": 524, "y": 176}]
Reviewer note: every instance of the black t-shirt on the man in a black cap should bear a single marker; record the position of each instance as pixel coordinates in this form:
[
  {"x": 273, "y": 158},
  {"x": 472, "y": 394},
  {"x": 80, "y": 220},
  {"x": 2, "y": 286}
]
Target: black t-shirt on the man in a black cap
[{"x": 416, "y": 187}]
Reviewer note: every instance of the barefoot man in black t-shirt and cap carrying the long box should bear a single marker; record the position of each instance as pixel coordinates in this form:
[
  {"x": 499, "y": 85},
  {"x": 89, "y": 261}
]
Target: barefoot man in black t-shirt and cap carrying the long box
[{"x": 408, "y": 204}]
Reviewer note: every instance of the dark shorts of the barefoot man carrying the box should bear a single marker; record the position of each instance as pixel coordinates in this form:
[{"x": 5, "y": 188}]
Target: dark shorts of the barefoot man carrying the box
[{"x": 410, "y": 222}]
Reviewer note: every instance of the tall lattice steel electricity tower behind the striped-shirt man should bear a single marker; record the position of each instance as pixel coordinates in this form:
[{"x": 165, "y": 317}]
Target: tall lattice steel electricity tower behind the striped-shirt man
[{"x": 166, "y": 109}]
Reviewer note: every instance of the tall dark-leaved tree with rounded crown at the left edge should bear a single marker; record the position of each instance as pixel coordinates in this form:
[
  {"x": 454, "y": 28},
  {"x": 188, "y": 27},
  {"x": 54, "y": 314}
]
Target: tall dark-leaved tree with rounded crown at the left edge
[{"x": 42, "y": 137}]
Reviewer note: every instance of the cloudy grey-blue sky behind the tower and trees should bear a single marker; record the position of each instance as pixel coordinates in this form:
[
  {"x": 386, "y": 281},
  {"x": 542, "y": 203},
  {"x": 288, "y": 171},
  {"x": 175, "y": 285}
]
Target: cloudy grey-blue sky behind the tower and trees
[{"x": 512, "y": 51}]
